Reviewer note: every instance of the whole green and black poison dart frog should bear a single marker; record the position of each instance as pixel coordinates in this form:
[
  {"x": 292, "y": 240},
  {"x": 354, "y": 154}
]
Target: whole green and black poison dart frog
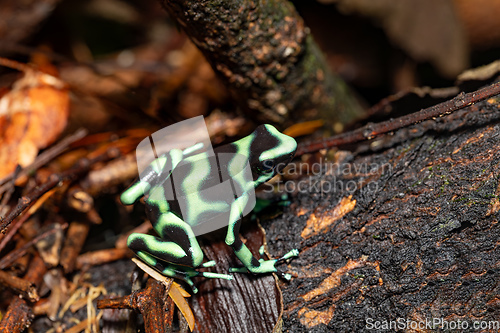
[{"x": 177, "y": 253}]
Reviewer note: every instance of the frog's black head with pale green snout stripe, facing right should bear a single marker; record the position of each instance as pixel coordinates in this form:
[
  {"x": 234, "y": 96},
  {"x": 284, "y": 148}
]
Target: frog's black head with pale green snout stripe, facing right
[{"x": 270, "y": 151}]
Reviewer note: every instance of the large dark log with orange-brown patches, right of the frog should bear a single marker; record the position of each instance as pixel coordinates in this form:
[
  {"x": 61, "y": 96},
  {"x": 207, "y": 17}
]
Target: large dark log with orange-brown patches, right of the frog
[{"x": 405, "y": 229}]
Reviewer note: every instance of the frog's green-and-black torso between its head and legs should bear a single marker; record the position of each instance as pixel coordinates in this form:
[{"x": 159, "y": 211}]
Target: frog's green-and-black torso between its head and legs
[{"x": 201, "y": 188}]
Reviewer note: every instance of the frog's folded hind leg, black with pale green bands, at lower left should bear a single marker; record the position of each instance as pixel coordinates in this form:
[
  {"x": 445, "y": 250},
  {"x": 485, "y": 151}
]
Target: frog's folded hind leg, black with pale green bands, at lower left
[{"x": 177, "y": 257}]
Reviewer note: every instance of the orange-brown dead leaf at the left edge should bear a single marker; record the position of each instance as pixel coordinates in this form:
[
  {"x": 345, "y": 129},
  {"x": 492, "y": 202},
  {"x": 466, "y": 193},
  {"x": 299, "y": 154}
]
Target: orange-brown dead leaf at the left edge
[{"x": 32, "y": 115}]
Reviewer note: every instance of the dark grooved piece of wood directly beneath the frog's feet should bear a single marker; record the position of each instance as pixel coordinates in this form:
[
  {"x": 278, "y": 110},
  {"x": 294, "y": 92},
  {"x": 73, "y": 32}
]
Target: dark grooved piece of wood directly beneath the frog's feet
[{"x": 248, "y": 303}]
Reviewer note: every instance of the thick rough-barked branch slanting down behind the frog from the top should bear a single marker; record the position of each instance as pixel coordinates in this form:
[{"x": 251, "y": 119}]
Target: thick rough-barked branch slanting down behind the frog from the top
[{"x": 266, "y": 56}]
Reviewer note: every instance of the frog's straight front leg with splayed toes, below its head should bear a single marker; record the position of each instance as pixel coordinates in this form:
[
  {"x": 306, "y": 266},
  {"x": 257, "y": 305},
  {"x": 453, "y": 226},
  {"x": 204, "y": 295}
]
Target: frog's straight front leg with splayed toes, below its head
[{"x": 241, "y": 250}]
